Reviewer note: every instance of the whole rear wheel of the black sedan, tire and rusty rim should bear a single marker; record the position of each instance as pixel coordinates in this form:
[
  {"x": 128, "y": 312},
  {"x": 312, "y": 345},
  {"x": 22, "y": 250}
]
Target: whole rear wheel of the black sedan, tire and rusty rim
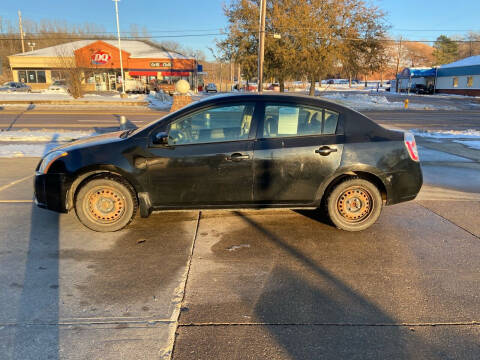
[{"x": 354, "y": 204}]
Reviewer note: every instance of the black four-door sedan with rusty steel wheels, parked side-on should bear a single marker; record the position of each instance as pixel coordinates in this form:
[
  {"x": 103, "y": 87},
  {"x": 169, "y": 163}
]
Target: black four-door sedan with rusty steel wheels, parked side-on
[{"x": 236, "y": 151}]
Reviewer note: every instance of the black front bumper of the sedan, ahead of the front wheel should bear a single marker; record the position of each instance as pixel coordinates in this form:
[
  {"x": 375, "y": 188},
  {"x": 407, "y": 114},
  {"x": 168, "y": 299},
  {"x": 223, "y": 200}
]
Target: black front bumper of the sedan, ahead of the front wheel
[{"x": 51, "y": 192}]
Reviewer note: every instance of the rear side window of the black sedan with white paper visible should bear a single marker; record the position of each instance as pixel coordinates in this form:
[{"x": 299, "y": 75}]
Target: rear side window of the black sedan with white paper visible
[{"x": 284, "y": 120}]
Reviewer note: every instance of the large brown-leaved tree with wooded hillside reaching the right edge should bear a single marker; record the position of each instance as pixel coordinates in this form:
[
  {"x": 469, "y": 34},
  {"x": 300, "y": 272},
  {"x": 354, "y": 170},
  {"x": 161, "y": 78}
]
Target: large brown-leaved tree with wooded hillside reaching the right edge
[{"x": 314, "y": 39}]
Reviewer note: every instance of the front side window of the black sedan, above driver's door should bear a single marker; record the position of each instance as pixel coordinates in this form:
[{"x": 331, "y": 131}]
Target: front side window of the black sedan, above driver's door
[{"x": 217, "y": 124}]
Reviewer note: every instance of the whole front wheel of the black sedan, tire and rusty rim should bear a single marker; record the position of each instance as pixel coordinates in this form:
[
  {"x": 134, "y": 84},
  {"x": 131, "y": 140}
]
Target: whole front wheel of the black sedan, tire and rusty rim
[{"x": 106, "y": 204}]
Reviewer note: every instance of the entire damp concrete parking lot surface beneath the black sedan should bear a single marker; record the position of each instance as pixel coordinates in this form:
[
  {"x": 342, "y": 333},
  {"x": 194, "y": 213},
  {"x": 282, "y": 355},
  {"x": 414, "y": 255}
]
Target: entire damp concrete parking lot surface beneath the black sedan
[{"x": 241, "y": 285}]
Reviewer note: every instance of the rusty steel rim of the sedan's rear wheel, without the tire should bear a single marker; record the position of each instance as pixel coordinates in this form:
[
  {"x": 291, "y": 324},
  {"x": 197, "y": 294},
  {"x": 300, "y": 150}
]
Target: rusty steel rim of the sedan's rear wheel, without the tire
[{"x": 355, "y": 204}]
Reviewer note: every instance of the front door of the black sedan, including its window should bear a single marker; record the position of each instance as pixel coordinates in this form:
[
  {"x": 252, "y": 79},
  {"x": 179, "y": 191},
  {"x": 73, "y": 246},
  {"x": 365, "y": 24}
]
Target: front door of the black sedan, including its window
[{"x": 208, "y": 160}]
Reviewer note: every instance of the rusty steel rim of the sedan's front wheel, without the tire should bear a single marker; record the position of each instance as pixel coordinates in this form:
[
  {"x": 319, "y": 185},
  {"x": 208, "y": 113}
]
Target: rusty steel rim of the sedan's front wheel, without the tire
[{"x": 104, "y": 204}]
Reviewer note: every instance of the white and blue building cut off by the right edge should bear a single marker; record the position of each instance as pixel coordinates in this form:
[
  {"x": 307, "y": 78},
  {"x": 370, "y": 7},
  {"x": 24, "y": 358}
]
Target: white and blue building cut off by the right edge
[{"x": 461, "y": 77}]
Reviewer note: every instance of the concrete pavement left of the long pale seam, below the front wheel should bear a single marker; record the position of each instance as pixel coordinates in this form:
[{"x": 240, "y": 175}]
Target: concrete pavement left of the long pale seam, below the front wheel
[{"x": 70, "y": 293}]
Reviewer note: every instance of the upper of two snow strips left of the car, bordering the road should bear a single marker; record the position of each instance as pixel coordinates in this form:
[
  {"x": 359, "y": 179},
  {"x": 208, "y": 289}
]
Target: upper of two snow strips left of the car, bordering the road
[{"x": 43, "y": 135}]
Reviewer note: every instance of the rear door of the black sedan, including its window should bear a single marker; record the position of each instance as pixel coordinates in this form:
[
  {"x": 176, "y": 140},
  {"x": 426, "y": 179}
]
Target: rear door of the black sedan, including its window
[{"x": 298, "y": 148}]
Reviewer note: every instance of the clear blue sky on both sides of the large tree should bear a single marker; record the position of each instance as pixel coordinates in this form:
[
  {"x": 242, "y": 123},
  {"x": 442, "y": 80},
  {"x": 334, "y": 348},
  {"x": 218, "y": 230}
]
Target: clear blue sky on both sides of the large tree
[{"x": 166, "y": 20}]
